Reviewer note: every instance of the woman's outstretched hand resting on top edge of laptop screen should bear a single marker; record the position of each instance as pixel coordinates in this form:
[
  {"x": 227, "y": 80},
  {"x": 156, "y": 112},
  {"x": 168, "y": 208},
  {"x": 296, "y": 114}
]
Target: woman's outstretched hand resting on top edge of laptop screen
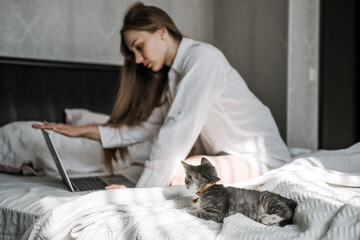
[{"x": 91, "y": 132}]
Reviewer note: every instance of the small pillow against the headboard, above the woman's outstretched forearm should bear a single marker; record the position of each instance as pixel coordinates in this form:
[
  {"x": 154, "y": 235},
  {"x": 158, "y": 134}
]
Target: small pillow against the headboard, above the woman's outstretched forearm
[{"x": 82, "y": 117}]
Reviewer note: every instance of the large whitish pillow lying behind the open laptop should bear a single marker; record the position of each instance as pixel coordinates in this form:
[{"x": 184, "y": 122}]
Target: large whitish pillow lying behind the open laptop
[{"x": 23, "y": 150}]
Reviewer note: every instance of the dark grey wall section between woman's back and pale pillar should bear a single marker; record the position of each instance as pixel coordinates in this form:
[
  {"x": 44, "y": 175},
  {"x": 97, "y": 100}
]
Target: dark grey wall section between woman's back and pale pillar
[{"x": 253, "y": 36}]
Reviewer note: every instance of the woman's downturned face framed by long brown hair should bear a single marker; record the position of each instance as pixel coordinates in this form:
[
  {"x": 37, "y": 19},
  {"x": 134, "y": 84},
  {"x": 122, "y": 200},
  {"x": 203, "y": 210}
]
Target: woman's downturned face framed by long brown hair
[{"x": 150, "y": 49}]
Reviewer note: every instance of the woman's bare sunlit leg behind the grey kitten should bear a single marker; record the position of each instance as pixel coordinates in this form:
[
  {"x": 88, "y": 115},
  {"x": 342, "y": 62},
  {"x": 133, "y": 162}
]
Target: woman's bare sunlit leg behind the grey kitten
[{"x": 229, "y": 169}]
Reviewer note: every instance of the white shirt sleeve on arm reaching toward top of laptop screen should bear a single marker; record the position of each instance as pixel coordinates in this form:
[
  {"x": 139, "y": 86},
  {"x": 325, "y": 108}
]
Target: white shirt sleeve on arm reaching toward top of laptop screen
[{"x": 112, "y": 137}]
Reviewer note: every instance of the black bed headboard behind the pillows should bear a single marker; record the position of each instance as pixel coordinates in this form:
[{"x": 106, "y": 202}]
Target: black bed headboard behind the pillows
[{"x": 41, "y": 90}]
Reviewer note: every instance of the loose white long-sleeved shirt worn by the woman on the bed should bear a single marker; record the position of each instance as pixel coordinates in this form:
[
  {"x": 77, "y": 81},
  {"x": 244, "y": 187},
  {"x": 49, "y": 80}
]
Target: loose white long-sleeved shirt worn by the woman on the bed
[{"x": 210, "y": 100}]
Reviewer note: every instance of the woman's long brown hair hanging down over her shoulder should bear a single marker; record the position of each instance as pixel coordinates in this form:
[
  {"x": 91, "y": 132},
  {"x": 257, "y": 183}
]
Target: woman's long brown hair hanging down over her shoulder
[{"x": 140, "y": 89}]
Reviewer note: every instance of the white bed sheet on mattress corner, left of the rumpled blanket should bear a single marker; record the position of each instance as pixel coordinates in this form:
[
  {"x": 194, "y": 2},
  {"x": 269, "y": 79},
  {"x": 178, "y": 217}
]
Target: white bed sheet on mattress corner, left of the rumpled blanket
[{"x": 25, "y": 198}]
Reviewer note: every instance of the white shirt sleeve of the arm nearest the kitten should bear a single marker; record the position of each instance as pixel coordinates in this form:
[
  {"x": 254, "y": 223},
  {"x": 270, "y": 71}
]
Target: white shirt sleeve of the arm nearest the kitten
[{"x": 201, "y": 83}]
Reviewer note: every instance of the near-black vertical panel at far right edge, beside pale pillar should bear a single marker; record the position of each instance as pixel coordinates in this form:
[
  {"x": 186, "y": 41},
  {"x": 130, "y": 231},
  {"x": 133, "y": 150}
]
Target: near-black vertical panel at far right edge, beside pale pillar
[{"x": 339, "y": 115}]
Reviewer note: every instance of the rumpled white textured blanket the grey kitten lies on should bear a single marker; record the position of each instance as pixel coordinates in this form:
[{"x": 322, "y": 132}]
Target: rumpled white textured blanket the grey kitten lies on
[{"x": 328, "y": 208}]
